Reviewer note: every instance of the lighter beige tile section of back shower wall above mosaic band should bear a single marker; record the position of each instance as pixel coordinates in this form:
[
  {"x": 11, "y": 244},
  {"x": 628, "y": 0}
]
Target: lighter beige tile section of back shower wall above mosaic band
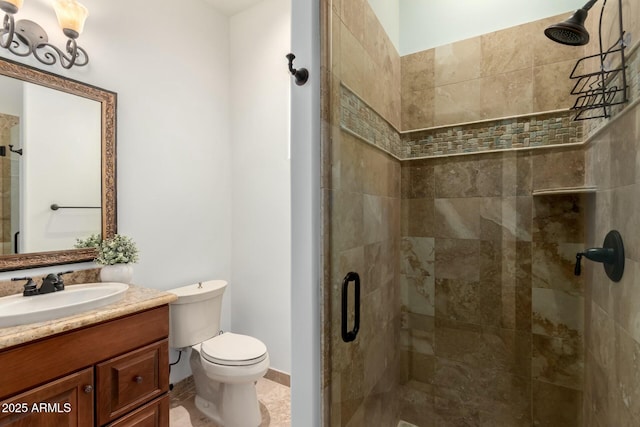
[{"x": 506, "y": 73}]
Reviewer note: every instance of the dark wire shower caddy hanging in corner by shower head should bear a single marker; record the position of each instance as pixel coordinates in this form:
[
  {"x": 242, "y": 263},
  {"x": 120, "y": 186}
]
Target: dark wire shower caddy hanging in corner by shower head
[{"x": 600, "y": 90}]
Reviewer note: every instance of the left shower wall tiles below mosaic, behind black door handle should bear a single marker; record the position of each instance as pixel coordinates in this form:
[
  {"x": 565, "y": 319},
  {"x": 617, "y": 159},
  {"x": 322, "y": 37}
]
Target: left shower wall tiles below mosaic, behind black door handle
[{"x": 365, "y": 235}]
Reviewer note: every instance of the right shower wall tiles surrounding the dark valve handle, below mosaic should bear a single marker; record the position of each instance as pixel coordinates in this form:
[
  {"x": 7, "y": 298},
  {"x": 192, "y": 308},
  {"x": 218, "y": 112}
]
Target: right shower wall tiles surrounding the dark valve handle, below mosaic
[{"x": 612, "y": 361}]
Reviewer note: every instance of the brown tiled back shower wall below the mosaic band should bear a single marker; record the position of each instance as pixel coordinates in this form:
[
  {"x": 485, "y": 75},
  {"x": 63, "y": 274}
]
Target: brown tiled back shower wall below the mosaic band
[{"x": 492, "y": 330}]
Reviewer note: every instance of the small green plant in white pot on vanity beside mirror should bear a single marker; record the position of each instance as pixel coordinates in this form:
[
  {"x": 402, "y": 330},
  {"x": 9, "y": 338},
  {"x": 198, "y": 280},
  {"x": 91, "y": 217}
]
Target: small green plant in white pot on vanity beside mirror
[{"x": 117, "y": 254}]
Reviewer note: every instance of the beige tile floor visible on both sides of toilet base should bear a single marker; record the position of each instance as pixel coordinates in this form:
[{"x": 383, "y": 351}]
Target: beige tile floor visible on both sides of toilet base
[{"x": 275, "y": 403}]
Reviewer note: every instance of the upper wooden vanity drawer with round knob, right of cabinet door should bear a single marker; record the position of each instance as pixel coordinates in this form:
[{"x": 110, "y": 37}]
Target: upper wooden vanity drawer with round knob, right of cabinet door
[{"x": 126, "y": 382}]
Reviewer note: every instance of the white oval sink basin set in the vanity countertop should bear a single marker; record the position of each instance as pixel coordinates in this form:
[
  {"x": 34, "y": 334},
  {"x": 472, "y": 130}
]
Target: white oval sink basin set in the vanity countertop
[{"x": 19, "y": 310}]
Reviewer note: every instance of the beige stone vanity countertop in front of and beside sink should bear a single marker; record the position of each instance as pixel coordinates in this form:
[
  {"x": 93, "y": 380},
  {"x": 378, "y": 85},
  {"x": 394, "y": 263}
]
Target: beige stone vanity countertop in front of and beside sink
[{"x": 136, "y": 299}]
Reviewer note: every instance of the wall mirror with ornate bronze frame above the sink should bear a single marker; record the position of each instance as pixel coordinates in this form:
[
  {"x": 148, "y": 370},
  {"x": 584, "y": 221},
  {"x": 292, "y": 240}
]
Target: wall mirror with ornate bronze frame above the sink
[{"x": 57, "y": 166}]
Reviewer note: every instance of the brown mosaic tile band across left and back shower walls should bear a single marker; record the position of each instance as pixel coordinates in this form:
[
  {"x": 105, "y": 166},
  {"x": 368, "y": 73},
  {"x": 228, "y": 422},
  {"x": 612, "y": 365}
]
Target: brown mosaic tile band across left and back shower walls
[{"x": 360, "y": 119}]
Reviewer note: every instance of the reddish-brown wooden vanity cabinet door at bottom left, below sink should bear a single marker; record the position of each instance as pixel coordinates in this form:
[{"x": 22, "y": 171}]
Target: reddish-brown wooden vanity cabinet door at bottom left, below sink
[{"x": 67, "y": 401}]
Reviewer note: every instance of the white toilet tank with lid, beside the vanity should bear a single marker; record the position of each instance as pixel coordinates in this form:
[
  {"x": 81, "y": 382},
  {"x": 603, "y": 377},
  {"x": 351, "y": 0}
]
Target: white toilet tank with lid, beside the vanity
[{"x": 195, "y": 316}]
